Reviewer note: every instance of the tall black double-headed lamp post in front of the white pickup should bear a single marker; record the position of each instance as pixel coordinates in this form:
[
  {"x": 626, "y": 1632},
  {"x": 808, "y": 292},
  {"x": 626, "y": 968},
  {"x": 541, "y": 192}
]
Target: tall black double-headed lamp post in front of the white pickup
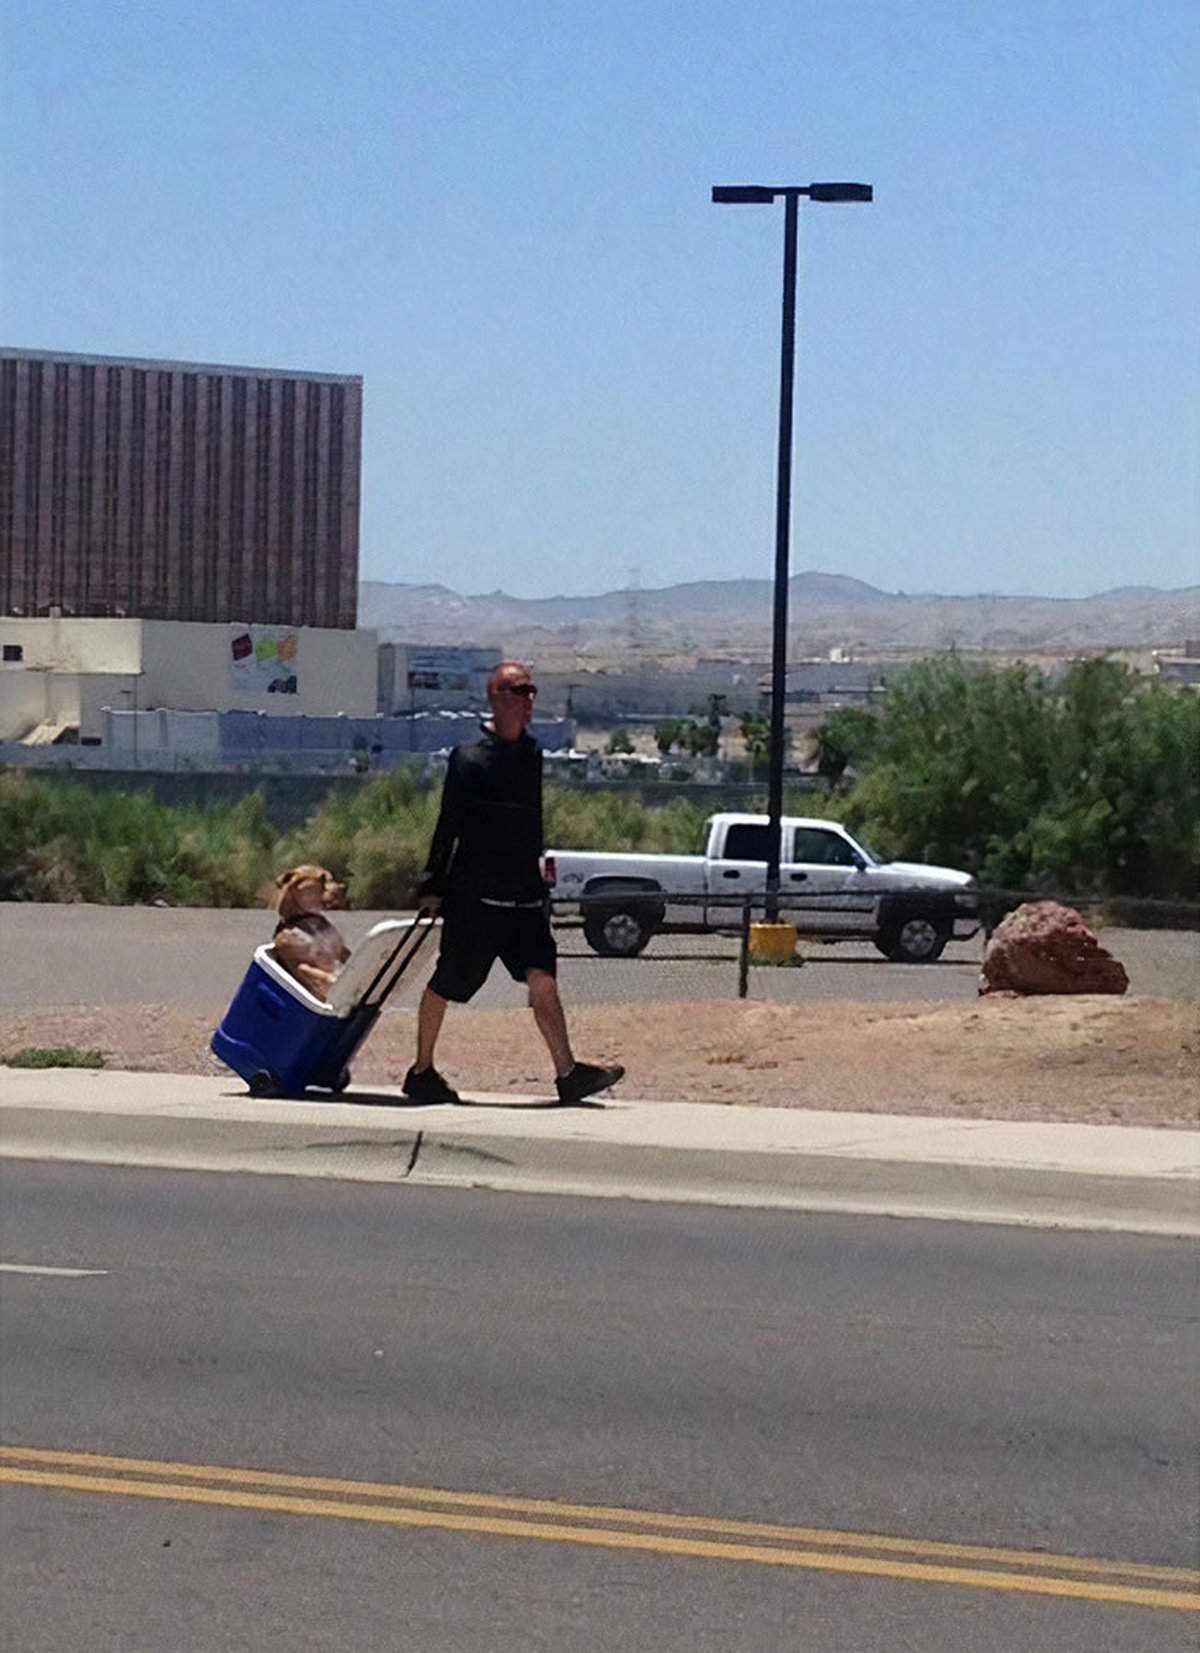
[{"x": 763, "y": 196}]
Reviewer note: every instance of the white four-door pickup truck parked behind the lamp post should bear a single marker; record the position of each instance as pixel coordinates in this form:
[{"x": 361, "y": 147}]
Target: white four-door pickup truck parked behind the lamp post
[{"x": 831, "y": 888}]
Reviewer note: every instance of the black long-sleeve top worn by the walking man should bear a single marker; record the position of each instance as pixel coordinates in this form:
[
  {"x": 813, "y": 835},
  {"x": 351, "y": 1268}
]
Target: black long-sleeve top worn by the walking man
[{"x": 488, "y": 841}]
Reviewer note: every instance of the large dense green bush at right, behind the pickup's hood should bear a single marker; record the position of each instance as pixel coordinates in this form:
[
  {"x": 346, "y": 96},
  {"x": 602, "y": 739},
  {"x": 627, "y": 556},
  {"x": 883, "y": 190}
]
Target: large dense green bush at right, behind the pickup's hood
[{"x": 1087, "y": 789}]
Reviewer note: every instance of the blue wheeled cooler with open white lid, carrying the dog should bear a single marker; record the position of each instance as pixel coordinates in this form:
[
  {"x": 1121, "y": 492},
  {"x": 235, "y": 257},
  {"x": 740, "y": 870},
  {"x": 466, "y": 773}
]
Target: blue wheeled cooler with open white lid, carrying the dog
[{"x": 282, "y": 1039}]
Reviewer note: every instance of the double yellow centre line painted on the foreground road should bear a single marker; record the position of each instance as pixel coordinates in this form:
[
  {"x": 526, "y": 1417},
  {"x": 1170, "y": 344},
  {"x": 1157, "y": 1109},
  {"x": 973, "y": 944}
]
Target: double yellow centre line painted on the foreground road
[{"x": 783, "y": 1553}]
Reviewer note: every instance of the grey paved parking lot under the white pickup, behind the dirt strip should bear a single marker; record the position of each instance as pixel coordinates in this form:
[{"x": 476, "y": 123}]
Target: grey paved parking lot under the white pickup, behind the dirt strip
[{"x": 183, "y": 956}]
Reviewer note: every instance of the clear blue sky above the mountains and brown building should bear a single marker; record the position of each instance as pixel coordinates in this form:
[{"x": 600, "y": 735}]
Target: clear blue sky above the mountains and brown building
[{"x": 498, "y": 212}]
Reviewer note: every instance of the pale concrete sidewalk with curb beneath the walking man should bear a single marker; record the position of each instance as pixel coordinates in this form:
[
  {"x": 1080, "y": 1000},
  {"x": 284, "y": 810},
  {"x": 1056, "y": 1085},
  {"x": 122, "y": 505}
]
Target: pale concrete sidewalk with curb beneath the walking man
[{"x": 1108, "y": 1178}]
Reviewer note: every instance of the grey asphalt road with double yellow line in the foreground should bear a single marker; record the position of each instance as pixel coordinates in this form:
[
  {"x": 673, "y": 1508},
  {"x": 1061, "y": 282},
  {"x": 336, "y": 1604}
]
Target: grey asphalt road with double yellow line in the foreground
[{"x": 925, "y": 1383}]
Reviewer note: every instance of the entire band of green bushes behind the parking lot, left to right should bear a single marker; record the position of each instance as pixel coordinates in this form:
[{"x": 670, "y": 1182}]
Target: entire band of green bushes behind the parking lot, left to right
[{"x": 1085, "y": 789}]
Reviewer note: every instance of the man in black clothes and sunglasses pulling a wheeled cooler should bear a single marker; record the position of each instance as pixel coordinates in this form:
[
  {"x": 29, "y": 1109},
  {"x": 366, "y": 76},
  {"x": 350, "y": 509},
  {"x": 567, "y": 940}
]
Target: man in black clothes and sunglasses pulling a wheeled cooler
[{"x": 487, "y": 879}]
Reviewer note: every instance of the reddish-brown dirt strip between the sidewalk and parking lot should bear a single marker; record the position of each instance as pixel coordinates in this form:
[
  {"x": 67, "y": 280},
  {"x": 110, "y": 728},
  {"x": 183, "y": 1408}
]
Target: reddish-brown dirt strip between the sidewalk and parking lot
[{"x": 1083, "y": 1059}]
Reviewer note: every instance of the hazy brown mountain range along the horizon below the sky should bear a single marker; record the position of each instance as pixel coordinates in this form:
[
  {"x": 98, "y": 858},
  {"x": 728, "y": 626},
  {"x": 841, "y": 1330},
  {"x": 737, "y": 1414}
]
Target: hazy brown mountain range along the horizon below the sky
[{"x": 824, "y": 609}]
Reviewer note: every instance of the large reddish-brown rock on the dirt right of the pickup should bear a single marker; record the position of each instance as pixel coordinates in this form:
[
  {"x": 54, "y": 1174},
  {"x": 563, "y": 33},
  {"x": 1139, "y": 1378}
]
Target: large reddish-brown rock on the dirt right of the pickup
[{"x": 1045, "y": 948}]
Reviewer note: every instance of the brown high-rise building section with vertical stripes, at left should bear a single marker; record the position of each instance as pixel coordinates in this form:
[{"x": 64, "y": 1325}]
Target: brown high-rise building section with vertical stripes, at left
[{"x": 178, "y": 492}]
